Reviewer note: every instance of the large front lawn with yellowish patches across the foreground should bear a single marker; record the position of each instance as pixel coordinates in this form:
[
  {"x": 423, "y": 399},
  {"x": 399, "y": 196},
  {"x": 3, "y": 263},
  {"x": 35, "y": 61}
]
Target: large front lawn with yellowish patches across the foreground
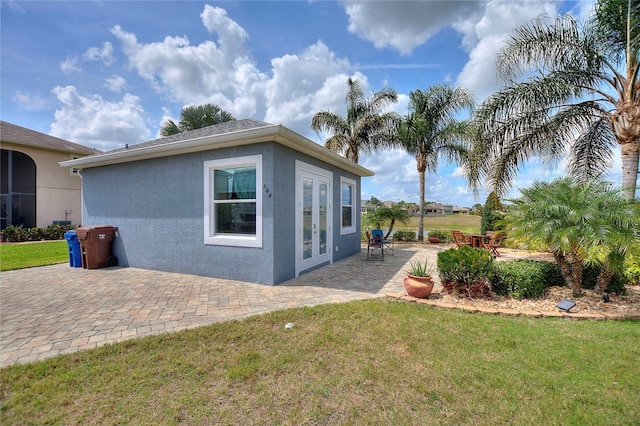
[{"x": 368, "y": 362}]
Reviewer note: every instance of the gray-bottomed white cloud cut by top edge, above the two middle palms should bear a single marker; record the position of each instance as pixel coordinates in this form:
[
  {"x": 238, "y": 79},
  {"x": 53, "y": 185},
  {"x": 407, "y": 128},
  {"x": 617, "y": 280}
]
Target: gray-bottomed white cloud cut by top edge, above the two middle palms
[{"x": 404, "y": 25}]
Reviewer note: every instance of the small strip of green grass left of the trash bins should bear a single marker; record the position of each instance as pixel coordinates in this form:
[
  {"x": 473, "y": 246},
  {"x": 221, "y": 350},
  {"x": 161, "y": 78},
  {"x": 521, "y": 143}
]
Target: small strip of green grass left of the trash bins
[{"x": 27, "y": 255}]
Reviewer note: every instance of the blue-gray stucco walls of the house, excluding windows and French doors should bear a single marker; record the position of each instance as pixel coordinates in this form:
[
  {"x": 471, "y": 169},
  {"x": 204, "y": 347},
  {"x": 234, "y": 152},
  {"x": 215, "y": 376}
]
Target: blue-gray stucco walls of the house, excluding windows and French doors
[{"x": 157, "y": 205}]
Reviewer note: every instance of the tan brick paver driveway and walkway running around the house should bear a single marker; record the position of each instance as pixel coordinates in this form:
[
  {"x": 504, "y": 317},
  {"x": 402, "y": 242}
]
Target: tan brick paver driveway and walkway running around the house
[{"x": 56, "y": 309}]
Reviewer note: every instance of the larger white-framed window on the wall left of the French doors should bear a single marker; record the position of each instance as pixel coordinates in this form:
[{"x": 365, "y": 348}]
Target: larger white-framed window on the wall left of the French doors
[{"x": 233, "y": 201}]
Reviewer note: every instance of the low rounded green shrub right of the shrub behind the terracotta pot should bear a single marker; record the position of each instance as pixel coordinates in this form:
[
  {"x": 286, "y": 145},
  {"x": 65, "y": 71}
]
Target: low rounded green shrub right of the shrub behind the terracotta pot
[{"x": 525, "y": 279}]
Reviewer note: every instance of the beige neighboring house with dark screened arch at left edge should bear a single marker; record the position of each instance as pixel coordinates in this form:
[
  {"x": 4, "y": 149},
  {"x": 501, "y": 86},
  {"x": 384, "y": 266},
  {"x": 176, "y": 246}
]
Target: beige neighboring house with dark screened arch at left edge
[{"x": 35, "y": 190}]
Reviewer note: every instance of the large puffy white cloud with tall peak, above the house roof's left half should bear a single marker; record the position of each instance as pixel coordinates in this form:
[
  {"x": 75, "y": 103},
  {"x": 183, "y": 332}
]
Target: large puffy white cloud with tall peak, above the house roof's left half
[{"x": 223, "y": 74}]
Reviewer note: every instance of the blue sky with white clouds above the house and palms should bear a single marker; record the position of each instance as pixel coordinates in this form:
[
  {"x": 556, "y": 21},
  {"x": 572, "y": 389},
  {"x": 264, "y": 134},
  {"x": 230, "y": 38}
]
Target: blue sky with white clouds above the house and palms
[{"x": 107, "y": 73}]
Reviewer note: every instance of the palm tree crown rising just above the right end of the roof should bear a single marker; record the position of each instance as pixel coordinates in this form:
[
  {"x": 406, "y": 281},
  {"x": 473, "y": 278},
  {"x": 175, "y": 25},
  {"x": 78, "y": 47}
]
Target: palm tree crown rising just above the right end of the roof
[{"x": 366, "y": 127}]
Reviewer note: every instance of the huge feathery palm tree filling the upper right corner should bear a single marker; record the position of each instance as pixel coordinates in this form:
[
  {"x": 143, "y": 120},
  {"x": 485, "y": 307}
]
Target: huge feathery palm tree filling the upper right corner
[{"x": 572, "y": 90}]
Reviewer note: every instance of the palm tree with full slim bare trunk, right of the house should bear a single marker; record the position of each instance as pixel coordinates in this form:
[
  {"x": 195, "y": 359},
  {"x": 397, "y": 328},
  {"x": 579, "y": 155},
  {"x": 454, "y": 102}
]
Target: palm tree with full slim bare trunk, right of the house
[{"x": 431, "y": 130}]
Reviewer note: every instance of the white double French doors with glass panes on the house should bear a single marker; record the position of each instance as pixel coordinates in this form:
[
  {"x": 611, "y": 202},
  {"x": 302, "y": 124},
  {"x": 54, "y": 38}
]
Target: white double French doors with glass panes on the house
[{"x": 314, "y": 218}]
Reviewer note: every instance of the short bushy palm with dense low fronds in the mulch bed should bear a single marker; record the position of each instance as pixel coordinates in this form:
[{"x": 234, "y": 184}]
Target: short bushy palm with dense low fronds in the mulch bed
[{"x": 578, "y": 222}]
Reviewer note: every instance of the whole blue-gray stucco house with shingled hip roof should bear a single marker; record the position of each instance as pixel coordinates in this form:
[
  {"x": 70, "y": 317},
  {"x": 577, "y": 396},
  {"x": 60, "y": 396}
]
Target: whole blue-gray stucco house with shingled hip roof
[{"x": 243, "y": 200}]
